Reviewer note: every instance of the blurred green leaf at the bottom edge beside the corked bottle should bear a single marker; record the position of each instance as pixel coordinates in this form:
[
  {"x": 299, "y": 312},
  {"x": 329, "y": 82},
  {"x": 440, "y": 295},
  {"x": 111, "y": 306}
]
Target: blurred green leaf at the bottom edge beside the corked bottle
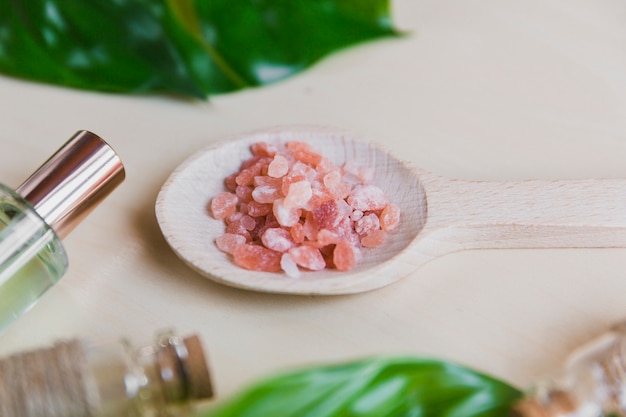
[{"x": 381, "y": 387}]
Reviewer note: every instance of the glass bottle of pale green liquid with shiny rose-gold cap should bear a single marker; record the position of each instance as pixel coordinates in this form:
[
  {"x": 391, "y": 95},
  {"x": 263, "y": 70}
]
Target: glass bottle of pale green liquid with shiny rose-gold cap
[{"x": 43, "y": 210}]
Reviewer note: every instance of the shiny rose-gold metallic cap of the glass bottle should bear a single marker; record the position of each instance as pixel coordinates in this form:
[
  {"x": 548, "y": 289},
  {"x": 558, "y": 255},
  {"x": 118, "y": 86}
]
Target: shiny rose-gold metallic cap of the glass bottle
[{"x": 73, "y": 181}]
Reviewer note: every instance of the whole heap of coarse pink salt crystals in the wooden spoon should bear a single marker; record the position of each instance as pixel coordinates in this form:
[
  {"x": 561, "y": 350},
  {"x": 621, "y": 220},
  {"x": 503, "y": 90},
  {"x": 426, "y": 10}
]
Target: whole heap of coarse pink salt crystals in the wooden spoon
[{"x": 289, "y": 207}]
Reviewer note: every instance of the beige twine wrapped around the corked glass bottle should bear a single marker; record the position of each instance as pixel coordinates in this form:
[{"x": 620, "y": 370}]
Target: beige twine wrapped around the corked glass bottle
[{"x": 49, "y": 382}]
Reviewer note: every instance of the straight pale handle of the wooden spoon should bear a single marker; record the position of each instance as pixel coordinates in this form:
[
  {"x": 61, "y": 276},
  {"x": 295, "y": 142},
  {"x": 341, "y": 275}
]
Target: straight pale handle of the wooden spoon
[{"x": 528, "y": 214}]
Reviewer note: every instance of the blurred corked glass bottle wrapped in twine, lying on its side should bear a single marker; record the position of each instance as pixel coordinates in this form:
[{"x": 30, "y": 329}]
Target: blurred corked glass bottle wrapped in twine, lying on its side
[{"x": 77, "y": 379}]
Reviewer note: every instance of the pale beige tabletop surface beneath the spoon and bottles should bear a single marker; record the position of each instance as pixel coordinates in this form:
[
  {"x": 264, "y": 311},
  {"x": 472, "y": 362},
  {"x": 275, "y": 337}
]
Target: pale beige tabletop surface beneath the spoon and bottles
[{"x": 480, "y": 90}]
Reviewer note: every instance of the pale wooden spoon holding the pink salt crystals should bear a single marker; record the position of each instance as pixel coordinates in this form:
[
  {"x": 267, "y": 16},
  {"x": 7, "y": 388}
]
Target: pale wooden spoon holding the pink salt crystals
[{"x": 439, "y": 215}]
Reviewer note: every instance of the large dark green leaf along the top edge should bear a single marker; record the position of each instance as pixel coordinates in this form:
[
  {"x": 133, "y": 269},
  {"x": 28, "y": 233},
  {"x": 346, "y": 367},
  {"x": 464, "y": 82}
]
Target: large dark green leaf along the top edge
[{"x": 186, "y": 47}]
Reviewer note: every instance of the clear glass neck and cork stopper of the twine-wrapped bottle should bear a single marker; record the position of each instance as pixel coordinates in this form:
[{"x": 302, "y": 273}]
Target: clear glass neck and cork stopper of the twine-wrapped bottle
[{"x": 162, "y": 379}]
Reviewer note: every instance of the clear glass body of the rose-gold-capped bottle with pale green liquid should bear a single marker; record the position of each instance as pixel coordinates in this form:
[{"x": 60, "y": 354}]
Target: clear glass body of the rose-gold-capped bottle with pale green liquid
[{"x": 32, "y": 258}]
